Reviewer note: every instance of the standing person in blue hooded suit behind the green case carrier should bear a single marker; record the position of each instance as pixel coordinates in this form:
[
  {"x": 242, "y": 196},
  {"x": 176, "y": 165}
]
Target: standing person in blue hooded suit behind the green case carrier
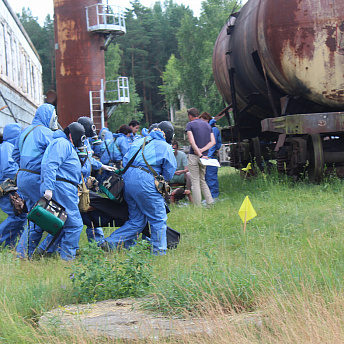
[{"x": 28, "y": 153}]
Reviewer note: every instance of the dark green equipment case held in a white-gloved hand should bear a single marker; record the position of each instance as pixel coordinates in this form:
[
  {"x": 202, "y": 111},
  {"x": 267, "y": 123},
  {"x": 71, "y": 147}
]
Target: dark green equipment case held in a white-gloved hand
[{"x": 48, "y": 215}]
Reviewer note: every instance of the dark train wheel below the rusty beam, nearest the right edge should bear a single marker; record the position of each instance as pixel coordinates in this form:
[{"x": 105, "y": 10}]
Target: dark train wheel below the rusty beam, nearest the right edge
[{"x": 315, "y": 155}]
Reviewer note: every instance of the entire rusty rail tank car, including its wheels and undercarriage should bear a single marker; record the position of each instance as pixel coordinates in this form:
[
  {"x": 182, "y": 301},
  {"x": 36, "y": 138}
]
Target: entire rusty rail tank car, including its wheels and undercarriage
[{"x": 281, "y": 66}]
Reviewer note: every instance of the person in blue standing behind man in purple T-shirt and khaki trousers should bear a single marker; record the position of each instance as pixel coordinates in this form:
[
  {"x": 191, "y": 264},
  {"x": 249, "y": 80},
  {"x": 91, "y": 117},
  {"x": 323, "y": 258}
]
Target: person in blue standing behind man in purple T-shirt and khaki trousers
[{"x": 211, "y": 171}]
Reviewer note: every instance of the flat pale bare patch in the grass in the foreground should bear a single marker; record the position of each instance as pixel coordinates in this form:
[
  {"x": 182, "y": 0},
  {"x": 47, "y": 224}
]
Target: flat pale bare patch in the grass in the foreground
[{"x": 124, "y": 319}]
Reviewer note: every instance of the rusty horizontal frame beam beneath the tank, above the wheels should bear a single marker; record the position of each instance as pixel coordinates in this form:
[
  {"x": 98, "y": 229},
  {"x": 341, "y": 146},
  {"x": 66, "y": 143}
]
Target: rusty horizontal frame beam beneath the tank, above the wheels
[{"x": 305, "y": 123}]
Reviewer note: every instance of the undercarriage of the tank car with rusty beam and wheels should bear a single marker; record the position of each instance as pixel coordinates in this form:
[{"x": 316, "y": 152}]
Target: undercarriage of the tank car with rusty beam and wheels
[{"x": 303, "y": 144}]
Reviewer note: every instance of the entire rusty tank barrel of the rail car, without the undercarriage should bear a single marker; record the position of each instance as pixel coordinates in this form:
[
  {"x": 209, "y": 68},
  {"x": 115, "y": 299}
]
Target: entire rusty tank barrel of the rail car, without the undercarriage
[{"x": 295, "y": 47}]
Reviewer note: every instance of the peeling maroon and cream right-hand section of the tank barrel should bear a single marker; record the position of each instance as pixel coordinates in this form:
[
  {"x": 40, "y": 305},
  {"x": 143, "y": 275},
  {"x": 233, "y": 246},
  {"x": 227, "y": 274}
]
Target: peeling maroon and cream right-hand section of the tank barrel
[{"x": 301, "y": 43}]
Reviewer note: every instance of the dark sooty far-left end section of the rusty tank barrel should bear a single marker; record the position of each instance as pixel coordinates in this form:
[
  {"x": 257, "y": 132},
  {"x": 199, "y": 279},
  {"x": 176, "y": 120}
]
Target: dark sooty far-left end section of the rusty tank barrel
[{"x": 238, "y": 51}]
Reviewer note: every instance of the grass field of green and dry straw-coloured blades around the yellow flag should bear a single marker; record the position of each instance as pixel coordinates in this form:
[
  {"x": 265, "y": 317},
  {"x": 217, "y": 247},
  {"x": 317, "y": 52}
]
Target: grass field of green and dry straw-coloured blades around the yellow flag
[{"x": 287, "y": 269}]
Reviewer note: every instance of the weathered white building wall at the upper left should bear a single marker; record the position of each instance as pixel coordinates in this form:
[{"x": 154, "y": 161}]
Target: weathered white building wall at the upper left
[{"x": 20, "y": 71}]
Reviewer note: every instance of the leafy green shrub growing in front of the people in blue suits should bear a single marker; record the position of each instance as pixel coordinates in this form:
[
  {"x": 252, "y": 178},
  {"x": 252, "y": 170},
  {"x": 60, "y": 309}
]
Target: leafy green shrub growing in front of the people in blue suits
[{"x": 99, "y": 276}]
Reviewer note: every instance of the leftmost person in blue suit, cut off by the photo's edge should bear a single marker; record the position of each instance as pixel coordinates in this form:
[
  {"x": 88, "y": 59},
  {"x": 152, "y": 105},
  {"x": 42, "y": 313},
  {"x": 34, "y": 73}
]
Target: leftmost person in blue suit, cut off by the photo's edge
[{"x": 13, "y": 226}]
